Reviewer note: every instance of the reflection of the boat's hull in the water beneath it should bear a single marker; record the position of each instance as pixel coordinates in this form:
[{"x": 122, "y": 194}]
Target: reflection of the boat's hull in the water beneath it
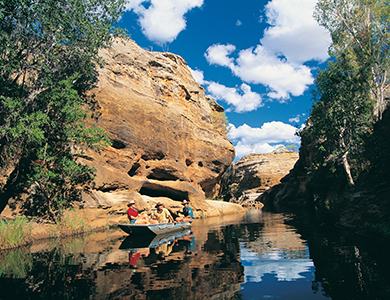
[{"x": 131, "y": 242}]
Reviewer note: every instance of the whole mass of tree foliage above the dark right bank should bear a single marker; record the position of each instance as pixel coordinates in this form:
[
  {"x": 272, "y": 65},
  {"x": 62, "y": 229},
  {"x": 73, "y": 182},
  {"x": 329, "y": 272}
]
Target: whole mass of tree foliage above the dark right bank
[{"x": 350, "y": 92}]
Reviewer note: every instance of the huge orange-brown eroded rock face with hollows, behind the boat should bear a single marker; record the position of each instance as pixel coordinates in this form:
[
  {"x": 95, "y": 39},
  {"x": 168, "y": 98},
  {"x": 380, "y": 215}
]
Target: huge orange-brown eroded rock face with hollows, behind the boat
[{"x": 168, "y": 139}]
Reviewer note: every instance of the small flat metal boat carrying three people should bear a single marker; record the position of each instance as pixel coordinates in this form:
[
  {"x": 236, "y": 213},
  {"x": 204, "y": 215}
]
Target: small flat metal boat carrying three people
[{"x": 154, "y": 229}]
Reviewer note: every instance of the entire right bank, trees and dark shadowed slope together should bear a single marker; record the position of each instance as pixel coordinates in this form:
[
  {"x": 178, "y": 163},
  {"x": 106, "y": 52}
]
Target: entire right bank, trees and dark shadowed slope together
[{"x": 345, "y": 140}]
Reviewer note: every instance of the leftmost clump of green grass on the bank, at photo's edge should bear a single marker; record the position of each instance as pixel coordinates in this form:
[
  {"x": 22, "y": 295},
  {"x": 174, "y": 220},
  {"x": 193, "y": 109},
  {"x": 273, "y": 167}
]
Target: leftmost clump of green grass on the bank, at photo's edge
[{"x": 15, "y": 233}]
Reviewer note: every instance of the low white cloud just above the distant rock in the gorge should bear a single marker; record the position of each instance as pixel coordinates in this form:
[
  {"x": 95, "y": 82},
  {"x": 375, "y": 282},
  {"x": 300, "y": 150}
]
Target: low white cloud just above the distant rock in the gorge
[{"x": 265, "y": 139}]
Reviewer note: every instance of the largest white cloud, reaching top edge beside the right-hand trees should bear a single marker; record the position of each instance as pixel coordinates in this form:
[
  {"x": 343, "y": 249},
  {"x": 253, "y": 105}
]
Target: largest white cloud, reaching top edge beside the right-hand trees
[{"x": 277, "y": 62}]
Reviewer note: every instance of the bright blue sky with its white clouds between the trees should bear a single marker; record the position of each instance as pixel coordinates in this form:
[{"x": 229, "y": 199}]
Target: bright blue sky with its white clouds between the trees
[{"x": 258, "y": 59}]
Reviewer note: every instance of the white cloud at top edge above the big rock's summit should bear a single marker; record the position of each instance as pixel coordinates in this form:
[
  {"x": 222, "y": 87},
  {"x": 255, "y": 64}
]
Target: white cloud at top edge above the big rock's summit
[{"x": 162, "y": 20}]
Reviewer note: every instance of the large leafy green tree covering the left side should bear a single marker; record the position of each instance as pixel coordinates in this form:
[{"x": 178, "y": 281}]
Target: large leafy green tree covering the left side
[{"x": 48, "y": 58}]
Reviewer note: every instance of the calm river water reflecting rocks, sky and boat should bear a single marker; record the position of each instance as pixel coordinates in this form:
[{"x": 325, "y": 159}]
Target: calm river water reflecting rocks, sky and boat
[{"x": 254, "y": 256}]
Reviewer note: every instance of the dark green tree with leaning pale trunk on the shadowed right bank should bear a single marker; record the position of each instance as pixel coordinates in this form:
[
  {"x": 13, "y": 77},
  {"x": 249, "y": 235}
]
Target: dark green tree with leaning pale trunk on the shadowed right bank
[{"x": 341, "y": 117}]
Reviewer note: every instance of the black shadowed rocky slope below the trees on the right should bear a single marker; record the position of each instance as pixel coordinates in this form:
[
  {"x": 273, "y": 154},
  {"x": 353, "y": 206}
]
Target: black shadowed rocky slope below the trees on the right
[{"x": 364, "y": 209}]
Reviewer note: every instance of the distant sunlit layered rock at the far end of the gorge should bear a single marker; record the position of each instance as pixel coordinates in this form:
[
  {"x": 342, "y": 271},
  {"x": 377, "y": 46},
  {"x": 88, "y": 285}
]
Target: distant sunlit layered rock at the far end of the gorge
[{"x": 255, "y": 173}]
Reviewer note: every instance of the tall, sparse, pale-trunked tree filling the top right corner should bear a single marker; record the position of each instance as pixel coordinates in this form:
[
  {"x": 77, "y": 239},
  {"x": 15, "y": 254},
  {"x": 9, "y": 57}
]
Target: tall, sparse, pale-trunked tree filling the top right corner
[{"x": 360, "y": 32}]
